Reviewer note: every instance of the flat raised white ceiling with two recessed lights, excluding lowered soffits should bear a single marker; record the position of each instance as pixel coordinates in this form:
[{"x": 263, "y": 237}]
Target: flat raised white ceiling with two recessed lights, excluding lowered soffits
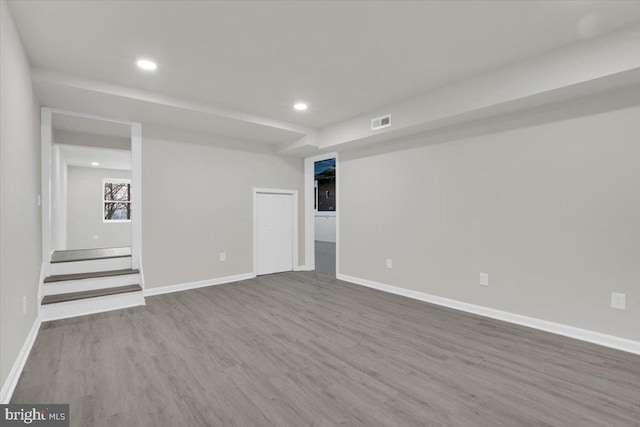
[{"x": 343, "y": 58}]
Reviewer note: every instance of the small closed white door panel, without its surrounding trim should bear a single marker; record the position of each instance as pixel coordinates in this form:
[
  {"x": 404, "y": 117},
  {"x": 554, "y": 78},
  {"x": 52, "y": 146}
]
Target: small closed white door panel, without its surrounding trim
[{"x": 274, "y": 232}]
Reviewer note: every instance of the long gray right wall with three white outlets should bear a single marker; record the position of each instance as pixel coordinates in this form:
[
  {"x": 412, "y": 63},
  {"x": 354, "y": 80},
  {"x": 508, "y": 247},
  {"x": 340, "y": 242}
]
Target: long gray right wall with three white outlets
[{"x": 551, "y": 212}]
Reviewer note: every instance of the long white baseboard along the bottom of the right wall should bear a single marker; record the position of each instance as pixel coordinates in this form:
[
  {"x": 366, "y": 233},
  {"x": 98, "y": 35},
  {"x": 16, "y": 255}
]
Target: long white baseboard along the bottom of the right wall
[{"x": 599, "y": 338}]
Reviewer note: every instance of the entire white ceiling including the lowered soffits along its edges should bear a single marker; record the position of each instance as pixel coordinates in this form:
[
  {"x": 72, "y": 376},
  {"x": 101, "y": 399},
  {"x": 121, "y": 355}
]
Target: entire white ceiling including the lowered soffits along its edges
[{"x": 234, "y": 69}]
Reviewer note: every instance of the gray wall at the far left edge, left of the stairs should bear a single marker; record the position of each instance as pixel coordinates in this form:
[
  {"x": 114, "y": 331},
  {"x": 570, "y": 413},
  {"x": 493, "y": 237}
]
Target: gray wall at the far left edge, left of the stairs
[{"x": 20, "y": 235}]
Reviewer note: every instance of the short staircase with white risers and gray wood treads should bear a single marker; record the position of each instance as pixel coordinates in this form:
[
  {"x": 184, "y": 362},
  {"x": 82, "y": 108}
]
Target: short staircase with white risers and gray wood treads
[{"x": 90, "y": 281}]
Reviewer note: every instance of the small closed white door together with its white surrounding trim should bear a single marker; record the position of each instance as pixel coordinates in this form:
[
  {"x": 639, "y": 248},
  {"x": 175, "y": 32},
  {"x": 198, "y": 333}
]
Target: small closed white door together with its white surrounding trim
[{"x": 275, "y": 230}]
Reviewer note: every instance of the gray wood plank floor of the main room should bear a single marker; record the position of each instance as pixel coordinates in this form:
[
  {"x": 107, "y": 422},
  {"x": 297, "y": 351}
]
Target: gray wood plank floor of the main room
[{"x": 301, "y": 348}]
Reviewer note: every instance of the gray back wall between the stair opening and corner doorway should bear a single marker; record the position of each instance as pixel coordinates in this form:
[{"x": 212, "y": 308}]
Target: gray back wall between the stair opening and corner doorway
[{"x": 198, "y": 202}]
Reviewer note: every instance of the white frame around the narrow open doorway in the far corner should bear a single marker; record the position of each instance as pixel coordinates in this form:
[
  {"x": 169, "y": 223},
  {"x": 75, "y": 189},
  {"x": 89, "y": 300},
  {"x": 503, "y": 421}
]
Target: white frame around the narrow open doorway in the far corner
[{"x": 309, "y": 212}]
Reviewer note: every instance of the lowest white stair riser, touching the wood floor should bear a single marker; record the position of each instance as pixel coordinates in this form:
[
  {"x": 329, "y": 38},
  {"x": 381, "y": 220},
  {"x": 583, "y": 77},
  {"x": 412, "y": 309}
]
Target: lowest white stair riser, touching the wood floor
[{"x": 87, "y": 306}]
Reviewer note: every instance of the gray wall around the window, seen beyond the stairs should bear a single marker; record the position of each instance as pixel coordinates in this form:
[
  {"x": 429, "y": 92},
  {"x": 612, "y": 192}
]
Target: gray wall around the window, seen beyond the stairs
[{"x": 84, "y": 210}]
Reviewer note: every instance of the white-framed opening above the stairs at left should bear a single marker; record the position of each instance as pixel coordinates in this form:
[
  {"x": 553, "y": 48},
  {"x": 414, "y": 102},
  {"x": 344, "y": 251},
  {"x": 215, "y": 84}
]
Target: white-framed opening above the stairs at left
[{"x": 91, "y": 189}]
